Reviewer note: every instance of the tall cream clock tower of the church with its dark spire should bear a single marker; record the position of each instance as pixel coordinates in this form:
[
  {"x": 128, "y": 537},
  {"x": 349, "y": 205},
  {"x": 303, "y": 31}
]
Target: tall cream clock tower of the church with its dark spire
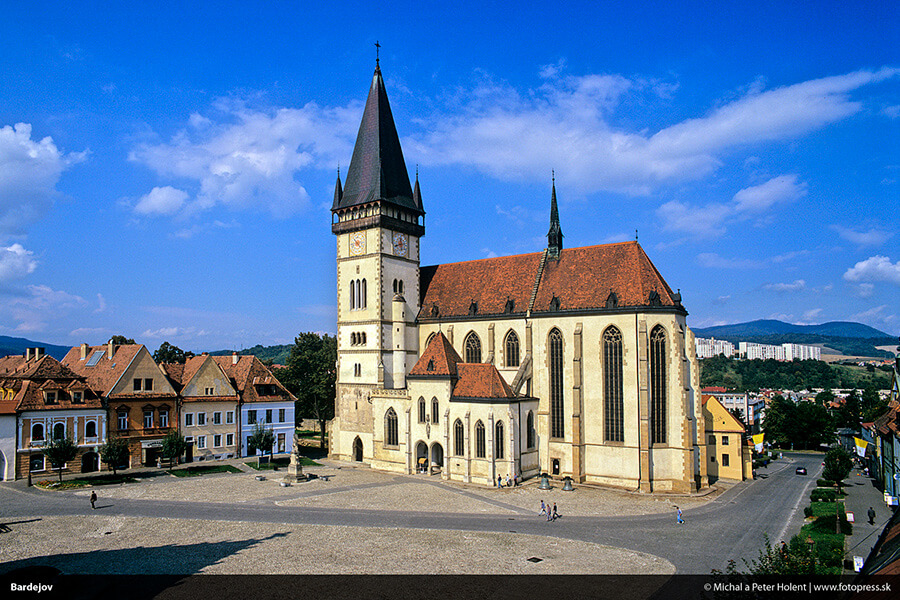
[{"x": 378, "y": 220}]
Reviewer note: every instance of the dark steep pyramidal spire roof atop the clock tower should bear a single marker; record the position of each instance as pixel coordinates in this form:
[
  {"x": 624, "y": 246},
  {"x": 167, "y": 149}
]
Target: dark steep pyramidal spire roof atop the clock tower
[{"x": 377, "y": 169}]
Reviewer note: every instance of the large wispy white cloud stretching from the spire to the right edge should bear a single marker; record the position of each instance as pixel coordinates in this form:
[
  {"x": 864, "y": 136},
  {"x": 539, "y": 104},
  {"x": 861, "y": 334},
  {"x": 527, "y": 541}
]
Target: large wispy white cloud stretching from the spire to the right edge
[{"x": 567, "y": 121}]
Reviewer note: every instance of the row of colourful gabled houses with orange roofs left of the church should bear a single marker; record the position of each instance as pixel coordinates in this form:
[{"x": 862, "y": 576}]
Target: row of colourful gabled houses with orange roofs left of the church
[{"x": 98, "y": 393}]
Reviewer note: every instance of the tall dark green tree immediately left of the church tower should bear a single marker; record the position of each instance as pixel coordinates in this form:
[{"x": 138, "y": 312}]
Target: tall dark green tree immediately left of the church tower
[{"x": 310, "y": 376}]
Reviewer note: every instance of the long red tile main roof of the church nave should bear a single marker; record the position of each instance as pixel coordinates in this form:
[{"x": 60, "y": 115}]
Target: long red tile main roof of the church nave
[{"x": 582, "y": 279}]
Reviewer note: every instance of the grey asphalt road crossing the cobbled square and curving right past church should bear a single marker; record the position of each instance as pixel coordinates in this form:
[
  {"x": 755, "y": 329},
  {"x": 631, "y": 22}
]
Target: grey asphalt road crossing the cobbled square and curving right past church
[{"x": 731, "y": 527}]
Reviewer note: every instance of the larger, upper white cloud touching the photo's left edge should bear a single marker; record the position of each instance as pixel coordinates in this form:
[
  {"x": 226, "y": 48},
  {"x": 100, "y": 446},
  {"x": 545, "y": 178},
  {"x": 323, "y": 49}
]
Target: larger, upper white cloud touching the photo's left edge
[{"x": 29, "y": 172}]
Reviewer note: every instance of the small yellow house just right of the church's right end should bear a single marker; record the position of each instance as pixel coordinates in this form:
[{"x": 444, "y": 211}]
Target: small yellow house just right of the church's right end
[{"x": 729, "y": 456}]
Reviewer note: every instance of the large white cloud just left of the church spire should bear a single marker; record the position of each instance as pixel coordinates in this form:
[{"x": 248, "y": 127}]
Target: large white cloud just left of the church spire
[{"x": 246, "y": 158}]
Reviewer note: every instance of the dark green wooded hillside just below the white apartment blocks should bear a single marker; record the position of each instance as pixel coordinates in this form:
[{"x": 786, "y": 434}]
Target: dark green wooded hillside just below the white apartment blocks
[{"x": 753, "y": 375}]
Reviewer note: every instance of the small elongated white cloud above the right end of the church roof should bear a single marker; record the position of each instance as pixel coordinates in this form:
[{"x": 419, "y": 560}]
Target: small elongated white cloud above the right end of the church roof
[{"x": 712, "y": 219}]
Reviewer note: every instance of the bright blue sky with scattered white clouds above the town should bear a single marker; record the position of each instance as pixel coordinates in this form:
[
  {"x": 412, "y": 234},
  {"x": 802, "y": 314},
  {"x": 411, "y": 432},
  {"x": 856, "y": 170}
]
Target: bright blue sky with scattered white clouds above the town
[{"x": 166, "y": 172}]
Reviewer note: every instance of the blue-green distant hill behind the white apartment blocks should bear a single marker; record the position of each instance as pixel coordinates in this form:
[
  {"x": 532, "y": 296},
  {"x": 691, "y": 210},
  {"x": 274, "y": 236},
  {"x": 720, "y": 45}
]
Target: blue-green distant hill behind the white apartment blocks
[{"x": 852, "y": 339}]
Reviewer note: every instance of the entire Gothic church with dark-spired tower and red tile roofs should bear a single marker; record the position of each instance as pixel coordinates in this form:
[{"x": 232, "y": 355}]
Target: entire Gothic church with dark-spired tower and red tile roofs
[{"x": 575, "y": 362}]
